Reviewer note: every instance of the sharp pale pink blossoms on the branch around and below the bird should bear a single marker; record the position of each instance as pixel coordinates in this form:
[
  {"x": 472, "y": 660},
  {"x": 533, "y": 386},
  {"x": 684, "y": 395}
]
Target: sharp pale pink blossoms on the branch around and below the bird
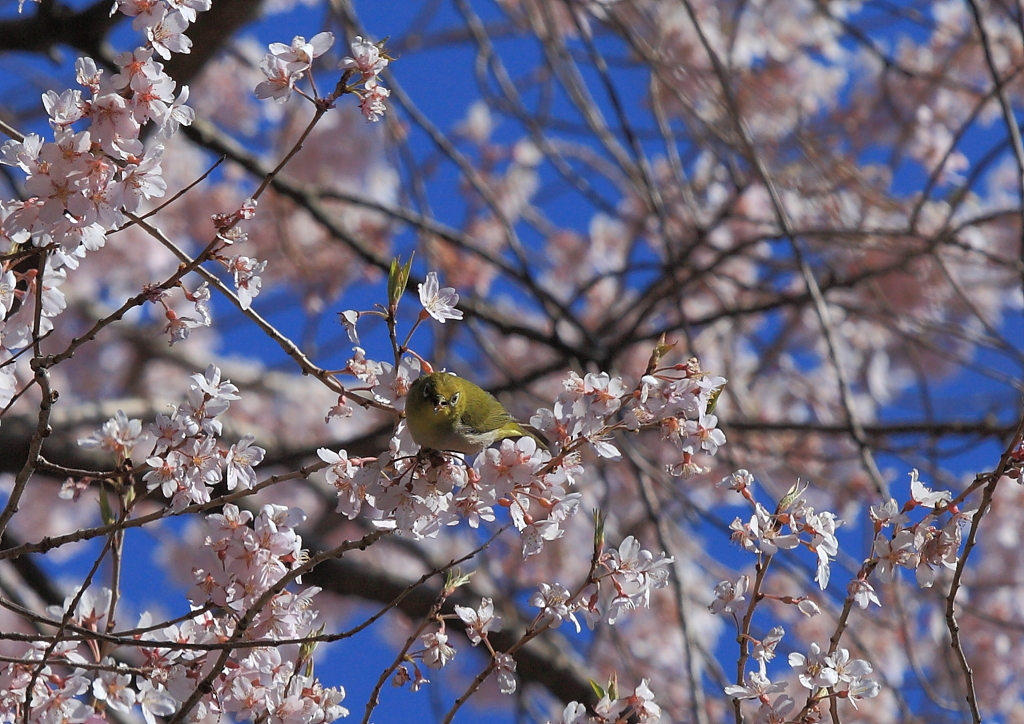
[{"x": 419, "y": 495}]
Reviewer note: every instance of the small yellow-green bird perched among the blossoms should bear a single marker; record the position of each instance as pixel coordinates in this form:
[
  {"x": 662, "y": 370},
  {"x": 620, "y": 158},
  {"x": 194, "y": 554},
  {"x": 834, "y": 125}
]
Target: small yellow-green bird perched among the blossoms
[{"x": 445, "y": 412}]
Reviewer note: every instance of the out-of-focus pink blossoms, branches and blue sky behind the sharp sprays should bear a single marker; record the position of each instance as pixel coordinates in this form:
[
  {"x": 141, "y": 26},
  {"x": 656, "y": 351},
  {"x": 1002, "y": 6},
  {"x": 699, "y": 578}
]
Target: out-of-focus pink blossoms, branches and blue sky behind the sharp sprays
[{"x": 820, "y": 200}]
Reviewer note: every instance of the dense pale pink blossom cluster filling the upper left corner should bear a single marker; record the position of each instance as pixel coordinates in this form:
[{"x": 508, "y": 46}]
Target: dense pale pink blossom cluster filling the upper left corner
[{"x": 97, "y": 171}]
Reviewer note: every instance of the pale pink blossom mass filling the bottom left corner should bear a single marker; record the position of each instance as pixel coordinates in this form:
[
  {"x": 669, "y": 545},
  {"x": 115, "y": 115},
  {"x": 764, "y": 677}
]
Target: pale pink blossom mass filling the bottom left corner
[{"x": 270, "y": 684}]
